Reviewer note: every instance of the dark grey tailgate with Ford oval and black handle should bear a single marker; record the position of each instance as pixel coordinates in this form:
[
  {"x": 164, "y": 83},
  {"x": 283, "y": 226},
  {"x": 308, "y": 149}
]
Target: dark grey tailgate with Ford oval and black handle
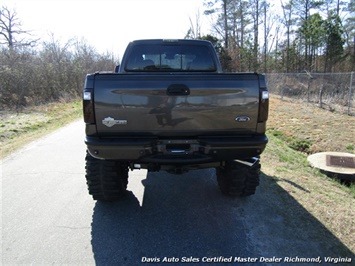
[{"x": 167, "y": 104}]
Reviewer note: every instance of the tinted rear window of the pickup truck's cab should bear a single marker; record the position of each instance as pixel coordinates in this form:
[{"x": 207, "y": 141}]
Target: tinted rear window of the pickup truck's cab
[{"x": 170, "y": 58}]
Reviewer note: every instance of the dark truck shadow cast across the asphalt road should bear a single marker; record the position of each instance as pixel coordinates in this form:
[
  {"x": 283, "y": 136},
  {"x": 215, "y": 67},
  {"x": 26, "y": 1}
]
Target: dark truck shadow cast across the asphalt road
[{"x": 186, "y": 216}]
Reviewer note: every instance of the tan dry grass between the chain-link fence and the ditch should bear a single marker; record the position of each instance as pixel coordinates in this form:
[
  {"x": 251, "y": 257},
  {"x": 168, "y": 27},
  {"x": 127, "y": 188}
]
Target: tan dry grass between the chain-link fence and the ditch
[{"x": 321, "y": 129}]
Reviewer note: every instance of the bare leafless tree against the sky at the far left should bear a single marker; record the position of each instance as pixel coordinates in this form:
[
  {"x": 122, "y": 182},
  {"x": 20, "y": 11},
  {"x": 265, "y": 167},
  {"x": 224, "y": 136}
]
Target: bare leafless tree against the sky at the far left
[{"x": 11, "y": 32}]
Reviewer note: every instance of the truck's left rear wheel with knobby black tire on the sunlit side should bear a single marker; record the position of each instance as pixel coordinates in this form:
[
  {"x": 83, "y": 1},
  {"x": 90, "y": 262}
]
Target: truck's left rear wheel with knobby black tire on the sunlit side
[{"x": 106, "y": 180}]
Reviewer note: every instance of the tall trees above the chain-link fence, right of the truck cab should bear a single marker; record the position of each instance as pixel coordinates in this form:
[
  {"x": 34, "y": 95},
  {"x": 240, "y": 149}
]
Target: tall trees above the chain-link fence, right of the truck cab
[{"x": 309, "y": 35}]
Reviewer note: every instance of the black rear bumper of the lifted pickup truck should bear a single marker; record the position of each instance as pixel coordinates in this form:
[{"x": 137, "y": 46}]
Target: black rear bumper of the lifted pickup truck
[{"x": 176, "y": 151}]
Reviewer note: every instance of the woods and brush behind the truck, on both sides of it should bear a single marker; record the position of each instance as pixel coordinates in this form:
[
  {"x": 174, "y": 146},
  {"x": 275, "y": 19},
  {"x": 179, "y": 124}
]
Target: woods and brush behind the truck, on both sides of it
[{"x": 308, "y": 36}]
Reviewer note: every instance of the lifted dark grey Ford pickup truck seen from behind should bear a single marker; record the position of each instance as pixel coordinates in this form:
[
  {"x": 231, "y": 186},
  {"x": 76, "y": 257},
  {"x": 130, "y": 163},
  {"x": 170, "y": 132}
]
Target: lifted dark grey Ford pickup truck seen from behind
[{"x": 171, "y": 108}]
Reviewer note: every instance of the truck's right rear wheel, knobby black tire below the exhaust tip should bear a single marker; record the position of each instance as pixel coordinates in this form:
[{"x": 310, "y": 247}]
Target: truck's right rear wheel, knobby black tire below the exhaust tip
[{"x": 235, "y": 179}]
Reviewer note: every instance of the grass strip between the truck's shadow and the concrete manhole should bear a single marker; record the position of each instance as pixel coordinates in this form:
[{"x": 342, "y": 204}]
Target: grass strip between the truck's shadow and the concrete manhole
[{"x": 330, "y": 202}]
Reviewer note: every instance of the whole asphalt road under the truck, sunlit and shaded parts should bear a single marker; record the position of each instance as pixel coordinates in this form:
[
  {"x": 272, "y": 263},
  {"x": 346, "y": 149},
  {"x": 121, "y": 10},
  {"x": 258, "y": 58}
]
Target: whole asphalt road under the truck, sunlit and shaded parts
[{"x": 49, "y": 219}]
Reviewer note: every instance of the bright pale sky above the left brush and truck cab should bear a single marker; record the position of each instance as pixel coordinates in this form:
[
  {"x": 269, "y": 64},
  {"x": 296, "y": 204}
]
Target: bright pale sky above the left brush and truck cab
[{"x": 108, "y": 25}]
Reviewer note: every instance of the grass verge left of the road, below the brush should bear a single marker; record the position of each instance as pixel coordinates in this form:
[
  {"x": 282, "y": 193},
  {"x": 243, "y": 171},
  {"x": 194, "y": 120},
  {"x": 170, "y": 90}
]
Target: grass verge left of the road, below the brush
[{"x": 20, "y": 128}]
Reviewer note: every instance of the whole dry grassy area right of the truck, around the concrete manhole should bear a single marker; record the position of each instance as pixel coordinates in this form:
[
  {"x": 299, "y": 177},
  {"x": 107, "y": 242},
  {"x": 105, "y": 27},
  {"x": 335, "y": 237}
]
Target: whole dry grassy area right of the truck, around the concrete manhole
[{"x": 328, "y": 201}]
